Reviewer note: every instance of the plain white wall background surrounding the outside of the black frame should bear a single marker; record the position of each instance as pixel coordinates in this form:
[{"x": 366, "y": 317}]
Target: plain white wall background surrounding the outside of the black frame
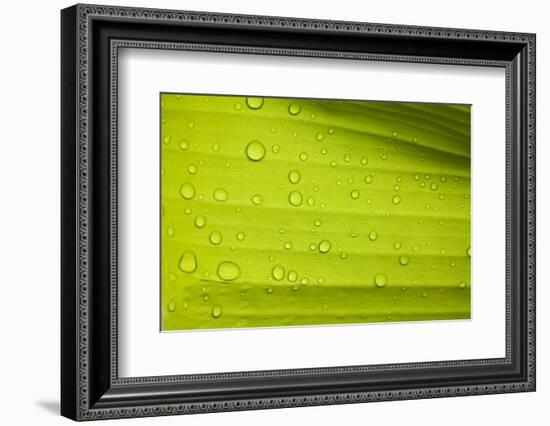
[{"x": 29, "y": 229}]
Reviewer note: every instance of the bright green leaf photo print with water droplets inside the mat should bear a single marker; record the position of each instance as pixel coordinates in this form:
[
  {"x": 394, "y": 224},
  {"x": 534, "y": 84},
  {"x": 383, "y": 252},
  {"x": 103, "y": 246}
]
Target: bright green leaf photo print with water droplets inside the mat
[{"x": 288, "y": 212}]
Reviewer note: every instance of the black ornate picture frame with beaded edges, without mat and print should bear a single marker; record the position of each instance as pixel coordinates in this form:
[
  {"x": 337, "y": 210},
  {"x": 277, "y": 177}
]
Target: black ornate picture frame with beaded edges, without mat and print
[{"x": 90, "y": 38}]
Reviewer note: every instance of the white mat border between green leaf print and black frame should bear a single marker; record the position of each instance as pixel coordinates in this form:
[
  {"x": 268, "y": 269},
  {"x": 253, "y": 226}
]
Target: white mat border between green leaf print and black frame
[{"x": 146, "y": 352}]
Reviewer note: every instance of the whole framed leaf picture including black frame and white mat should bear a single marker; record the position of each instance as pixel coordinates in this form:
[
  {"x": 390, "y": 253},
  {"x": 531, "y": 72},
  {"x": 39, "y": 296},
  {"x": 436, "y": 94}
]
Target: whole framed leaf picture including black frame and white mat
[{"x": 263, "y": 212}]
